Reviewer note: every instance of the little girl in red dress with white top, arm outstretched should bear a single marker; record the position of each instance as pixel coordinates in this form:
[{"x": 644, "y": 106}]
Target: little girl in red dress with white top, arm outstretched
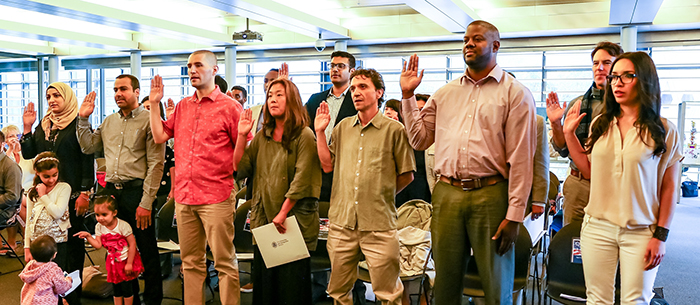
[{"x": 123, "y": 260}]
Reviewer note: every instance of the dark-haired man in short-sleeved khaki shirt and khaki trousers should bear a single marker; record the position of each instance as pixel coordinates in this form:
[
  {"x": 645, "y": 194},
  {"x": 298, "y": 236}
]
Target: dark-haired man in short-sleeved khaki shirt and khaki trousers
[{"x": 373, "y": 162}]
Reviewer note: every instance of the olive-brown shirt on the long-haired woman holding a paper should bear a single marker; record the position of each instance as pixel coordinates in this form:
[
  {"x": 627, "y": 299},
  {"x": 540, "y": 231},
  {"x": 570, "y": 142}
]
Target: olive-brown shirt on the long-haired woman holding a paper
[{"x": 278, "y": 174}]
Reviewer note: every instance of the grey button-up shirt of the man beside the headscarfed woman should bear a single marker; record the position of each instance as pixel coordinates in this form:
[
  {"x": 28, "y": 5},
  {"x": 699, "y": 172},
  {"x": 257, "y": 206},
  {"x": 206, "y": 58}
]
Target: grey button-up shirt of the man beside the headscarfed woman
[{"x": 129, "y": 150}]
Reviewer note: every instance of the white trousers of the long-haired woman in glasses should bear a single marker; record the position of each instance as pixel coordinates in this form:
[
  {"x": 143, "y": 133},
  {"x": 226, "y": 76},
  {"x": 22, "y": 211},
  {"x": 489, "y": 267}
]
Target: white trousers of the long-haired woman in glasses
[{"x": 603, "y": 244}]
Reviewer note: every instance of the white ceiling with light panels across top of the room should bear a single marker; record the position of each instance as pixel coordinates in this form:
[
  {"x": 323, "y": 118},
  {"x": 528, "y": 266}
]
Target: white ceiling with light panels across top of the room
[{"x": 92, "y": 27}]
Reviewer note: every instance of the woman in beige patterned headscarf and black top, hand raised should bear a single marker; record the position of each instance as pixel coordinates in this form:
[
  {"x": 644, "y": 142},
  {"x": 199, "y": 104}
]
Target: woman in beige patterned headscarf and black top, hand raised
[{"x": 56, "y": 132}]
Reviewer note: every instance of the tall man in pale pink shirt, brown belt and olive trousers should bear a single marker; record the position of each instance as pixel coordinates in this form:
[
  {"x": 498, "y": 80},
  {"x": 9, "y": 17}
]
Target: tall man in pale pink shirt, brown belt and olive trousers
[{"x": 483, "y": 127}]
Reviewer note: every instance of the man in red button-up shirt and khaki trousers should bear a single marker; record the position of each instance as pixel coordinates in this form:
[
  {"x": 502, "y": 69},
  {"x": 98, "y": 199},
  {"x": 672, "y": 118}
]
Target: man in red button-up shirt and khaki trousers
[{"x": 205, "y": 128}]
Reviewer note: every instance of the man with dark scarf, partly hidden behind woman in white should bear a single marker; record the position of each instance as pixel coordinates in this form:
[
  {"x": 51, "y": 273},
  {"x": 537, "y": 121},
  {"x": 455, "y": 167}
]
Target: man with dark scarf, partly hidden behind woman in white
[{"x": 577, "y": 186}]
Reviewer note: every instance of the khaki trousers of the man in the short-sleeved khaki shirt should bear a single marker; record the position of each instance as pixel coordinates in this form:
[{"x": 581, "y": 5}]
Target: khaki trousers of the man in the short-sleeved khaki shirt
[{"x": 381, "y": 250}]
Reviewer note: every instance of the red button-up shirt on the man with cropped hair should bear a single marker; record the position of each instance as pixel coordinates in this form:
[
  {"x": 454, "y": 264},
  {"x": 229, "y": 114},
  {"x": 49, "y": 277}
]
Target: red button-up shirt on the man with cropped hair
[{"x": 205, "y": 132}]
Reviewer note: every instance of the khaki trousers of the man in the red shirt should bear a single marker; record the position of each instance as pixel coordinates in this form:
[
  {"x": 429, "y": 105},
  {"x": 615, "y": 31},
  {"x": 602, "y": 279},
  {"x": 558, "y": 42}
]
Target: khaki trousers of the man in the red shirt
[{"x": 212, "y": 223}]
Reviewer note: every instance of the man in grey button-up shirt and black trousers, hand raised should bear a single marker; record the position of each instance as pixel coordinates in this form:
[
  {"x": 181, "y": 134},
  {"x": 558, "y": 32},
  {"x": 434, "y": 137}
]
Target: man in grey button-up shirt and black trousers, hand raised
[{"x": 134, "y": 166}]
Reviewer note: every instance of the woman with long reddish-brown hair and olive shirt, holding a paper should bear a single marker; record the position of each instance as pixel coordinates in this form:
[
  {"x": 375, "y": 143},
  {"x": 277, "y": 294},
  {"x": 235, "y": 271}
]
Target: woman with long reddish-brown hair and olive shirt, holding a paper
[{"x": 283, "y": 164}]
